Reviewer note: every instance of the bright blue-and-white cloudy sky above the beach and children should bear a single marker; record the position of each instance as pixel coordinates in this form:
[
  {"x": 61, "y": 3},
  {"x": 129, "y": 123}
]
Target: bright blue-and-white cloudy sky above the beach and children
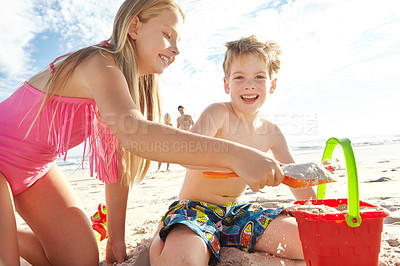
[{"x": 339, "y": 67}]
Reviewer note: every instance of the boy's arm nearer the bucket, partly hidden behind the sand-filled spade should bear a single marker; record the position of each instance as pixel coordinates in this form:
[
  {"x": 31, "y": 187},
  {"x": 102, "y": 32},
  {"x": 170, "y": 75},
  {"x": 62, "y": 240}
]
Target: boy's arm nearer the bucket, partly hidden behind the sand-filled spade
[{"x": 281, "y": 152}]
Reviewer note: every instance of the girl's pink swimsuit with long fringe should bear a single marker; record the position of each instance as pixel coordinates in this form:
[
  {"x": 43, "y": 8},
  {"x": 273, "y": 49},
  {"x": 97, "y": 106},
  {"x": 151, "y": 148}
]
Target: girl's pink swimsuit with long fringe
[{"x": 24, "y": 160}]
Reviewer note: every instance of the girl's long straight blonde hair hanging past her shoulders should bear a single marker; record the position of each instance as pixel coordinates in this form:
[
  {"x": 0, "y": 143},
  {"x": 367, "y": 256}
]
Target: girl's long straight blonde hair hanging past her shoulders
[{"x": 144, "y": 89}]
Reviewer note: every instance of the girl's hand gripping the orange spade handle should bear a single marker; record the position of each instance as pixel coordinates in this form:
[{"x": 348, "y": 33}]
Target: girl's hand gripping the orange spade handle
[{"x": 260, "y": 172}]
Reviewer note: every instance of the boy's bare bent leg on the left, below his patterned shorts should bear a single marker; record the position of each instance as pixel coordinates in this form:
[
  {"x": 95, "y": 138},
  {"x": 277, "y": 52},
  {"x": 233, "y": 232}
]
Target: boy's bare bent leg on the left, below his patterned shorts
[{"x": 182, "y": 247}]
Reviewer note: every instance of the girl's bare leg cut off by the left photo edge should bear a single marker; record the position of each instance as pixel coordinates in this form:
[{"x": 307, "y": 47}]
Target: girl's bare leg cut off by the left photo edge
[{"x": 8, "y": 229}]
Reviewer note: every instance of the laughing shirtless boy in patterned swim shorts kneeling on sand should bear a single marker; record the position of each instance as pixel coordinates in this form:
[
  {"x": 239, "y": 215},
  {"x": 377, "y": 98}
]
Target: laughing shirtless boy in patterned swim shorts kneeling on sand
[{"x": 207, "y": 214}]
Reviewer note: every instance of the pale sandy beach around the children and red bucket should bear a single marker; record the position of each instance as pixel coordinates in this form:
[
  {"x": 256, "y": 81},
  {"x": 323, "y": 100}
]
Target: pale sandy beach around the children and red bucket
[{"x": 378, "y": 167}]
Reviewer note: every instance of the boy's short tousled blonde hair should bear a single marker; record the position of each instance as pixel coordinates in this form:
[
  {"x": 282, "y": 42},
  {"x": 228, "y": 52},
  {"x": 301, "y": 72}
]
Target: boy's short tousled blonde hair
[{"x": 268, "y": 51}]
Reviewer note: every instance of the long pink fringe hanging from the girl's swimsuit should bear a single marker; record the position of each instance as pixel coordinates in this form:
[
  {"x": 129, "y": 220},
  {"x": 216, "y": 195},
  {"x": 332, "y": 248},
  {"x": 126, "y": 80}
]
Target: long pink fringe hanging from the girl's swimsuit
[{"x": 103, "y": 155}]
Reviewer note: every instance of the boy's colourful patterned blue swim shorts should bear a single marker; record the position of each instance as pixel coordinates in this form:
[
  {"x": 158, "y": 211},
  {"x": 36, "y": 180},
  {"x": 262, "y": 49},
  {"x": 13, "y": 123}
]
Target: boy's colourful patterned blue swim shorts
[{"x": 231, "y": 225}]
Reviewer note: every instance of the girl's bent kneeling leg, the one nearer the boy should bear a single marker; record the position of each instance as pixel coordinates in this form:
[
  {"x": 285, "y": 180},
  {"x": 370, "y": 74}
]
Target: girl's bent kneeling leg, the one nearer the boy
[{"x": 60, "y": 227}]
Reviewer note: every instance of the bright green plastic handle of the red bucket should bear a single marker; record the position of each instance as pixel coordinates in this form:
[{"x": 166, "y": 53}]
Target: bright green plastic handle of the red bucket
[{"x": 353, "y": 217}]
